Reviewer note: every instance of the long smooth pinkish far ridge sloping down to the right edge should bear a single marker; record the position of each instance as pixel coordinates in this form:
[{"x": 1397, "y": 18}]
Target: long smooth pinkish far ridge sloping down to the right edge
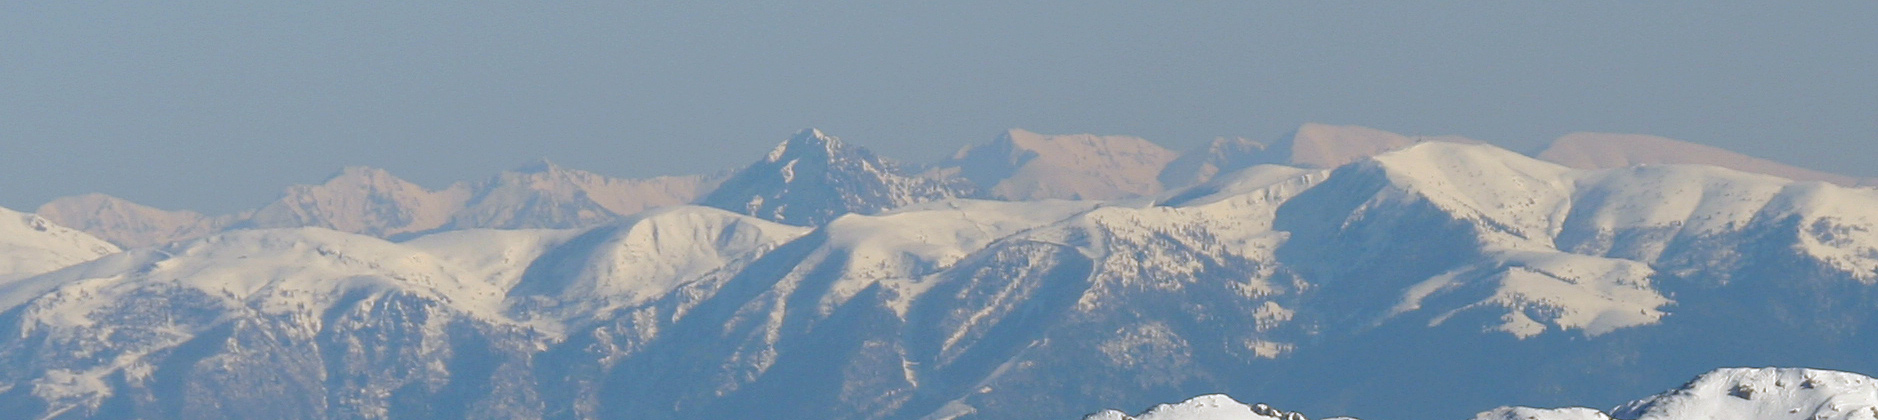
[{"x": 1607, "y": 151}]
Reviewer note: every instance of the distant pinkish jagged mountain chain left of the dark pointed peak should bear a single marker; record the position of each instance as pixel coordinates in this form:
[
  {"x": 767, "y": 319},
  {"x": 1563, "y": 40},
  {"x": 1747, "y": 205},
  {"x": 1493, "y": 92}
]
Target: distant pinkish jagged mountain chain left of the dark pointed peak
[{"x": 373, "y": 202}]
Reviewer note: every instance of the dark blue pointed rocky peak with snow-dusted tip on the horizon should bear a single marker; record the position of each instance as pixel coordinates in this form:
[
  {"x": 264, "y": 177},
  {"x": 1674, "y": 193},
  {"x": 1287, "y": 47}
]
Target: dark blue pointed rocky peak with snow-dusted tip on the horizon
[{"x": 814, "y": 179}]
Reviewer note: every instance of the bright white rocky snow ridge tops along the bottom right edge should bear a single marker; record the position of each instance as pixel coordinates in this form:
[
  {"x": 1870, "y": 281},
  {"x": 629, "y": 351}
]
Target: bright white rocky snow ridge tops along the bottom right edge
[{"x": 1723, "y": 395}]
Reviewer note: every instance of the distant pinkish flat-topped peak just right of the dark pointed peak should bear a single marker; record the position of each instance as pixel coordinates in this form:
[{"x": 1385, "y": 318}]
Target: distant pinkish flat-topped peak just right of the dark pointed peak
[{"x": 1026, "y": 166}]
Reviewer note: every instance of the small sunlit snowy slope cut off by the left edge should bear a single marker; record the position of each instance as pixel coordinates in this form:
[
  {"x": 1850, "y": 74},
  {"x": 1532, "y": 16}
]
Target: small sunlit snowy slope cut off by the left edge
[{"x": 33, "y": 245}]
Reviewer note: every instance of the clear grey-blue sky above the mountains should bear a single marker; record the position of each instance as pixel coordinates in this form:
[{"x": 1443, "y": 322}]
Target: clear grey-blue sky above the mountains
[{"x": 219, "y": 106}]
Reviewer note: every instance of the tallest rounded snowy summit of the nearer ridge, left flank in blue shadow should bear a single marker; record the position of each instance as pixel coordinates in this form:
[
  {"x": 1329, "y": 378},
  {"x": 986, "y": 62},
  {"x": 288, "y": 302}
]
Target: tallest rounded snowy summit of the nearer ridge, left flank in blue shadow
[{"x": 1507, "y": 209}]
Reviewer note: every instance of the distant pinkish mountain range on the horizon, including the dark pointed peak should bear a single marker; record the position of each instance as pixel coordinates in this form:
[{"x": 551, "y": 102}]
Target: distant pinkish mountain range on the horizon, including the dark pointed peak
[{"x": 1019, "y": 166}]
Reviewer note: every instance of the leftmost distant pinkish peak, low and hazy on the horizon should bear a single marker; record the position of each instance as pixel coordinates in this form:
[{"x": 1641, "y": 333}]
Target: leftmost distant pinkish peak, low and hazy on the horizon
[{"x": 131, "y": 224}]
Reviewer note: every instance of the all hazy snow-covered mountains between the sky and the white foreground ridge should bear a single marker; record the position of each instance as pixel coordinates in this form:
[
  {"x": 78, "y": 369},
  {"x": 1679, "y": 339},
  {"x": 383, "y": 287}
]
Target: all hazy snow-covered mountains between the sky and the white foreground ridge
[{"x": 1336, "y": 271}]
